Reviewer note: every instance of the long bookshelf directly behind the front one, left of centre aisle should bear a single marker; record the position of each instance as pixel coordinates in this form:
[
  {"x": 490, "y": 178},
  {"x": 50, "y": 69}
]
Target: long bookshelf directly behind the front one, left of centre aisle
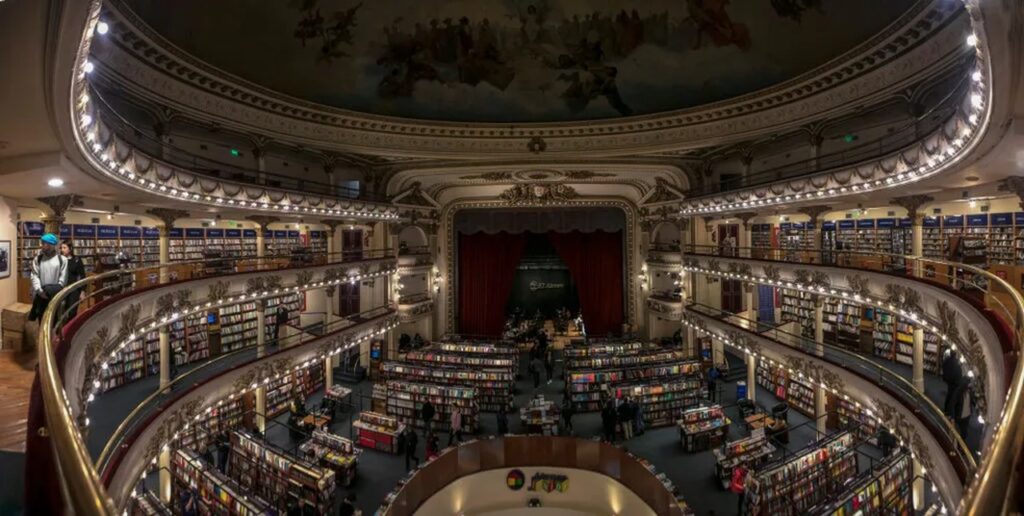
[{"x": 494, "y": 386}]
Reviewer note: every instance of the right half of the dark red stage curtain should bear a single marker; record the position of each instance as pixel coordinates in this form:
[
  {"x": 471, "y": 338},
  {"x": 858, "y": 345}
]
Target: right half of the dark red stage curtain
[{"x": 595, "y": 261}]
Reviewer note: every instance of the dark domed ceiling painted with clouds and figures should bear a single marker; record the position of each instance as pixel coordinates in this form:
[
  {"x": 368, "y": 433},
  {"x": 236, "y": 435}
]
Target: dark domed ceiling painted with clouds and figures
[{"x": 518, "y": 61}]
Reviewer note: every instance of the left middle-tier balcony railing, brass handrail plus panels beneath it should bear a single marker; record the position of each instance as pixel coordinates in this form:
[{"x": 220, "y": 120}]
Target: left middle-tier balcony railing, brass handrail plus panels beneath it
[{"x": 80, "y": 484}]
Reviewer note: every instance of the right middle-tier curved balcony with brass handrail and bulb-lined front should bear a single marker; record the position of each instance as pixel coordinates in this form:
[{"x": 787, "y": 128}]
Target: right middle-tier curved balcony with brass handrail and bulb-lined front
[{"x": 993, "y": 309}]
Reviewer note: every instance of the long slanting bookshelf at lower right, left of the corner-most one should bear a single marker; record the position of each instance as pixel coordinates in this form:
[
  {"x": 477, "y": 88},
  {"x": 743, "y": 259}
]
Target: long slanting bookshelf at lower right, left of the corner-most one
[{"x": 795, "y": 485}]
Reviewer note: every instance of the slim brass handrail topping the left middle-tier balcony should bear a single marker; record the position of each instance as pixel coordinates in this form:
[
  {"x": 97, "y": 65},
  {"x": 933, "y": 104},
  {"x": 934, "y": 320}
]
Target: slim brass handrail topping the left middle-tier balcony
[{"x": 79, "y": 480}]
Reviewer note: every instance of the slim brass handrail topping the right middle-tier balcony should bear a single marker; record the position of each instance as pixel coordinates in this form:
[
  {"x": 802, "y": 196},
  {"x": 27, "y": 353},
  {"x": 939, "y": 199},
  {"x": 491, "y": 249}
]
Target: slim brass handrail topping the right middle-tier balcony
[{"x": 994, "y": 489}]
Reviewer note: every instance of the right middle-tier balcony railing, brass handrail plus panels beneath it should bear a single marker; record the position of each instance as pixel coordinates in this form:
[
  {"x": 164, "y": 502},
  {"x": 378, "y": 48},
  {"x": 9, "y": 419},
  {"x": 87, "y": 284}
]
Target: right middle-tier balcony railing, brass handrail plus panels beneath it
[{"x": 994, "y": 488}]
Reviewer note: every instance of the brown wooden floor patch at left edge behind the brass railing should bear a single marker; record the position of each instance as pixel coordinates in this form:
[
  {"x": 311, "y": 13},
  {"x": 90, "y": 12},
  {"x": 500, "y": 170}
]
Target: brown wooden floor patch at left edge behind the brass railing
[{"x": 17, "y": 371}]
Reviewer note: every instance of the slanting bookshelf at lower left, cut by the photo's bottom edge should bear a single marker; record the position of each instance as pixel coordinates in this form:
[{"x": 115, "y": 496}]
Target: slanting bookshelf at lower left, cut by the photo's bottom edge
[{"x": 218, "y": 494}]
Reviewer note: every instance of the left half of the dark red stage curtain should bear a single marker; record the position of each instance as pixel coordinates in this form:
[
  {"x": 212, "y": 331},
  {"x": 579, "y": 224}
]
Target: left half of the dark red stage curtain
[{"x": 487, "y": 271}]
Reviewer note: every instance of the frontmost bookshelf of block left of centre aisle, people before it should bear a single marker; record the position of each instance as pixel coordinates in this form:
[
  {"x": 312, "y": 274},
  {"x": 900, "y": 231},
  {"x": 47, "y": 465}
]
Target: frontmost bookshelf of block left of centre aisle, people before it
[{"x": 405, "y": 400}]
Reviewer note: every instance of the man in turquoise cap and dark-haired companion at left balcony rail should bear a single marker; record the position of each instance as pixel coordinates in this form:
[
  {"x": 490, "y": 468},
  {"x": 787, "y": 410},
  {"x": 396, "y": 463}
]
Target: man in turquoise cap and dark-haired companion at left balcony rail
[{"x": 53, "y": 270}]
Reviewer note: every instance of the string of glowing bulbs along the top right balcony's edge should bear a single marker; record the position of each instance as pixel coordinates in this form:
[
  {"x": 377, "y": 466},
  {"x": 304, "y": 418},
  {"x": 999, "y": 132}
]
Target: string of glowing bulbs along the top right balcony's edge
[{"x": 932, "y": 166}]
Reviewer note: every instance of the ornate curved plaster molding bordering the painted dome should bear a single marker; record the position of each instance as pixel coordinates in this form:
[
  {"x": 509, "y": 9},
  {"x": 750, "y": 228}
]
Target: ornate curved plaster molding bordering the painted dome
[{"x": 908, "y": 49}]
